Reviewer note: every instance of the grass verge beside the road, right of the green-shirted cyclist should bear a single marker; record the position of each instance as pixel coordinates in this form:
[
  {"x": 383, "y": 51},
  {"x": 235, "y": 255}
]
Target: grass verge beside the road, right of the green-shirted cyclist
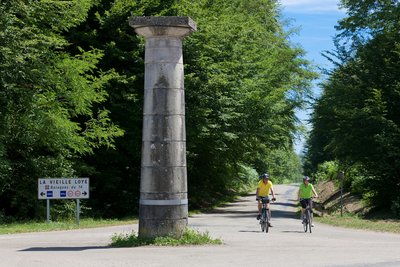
[{"x": 355, "y": 222}]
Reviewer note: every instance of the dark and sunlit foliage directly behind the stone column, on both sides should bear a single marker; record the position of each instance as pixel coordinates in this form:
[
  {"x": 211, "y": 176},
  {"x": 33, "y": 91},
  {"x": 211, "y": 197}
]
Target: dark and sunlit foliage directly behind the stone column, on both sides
[{"x": 243, "y": 81}]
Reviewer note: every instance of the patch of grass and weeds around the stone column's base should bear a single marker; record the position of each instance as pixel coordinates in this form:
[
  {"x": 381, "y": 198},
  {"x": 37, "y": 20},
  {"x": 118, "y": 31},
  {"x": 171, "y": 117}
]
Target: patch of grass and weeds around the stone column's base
[{"x": 189, "y": 237}]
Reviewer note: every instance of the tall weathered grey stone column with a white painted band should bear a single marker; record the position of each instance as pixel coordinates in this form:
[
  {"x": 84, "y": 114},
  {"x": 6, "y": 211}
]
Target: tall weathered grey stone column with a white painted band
[{"x": 163, "y": 188}]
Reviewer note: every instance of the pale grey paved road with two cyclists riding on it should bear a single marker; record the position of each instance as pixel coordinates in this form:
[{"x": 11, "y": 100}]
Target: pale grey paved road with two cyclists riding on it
[{"x": 244, "y": 244}]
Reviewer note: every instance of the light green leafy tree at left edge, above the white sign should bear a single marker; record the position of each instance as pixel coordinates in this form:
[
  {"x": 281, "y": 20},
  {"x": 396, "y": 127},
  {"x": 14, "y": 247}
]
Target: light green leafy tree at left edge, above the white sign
[{"x": 47, "y": 97}]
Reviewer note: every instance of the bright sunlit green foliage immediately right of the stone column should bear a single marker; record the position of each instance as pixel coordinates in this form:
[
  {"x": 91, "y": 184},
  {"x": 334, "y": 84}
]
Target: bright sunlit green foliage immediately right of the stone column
[{"x": 243, "y": 82}]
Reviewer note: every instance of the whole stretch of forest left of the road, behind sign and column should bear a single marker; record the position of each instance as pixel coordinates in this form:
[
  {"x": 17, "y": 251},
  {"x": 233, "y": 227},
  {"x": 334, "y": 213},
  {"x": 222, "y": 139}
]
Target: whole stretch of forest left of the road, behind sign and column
[{"x": 71, "y": 93}]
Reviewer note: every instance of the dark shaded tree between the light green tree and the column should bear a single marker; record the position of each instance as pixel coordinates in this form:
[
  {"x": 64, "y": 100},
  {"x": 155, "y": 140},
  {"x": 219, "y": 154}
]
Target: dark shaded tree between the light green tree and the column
[{"x": 115, "y": 172}]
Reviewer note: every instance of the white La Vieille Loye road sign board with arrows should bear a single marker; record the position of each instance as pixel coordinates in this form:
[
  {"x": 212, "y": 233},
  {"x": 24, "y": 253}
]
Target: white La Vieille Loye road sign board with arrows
[{"x": 63, "y": 188}]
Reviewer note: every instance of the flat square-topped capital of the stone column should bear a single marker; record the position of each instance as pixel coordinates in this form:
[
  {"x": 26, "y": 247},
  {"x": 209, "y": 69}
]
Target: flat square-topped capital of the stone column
[{"x": 163, "y": 26}]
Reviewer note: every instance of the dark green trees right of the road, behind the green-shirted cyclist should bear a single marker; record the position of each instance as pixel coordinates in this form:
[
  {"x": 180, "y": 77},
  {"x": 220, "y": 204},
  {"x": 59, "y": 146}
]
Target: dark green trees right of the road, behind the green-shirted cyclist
[{"x": 356, "y": 119}]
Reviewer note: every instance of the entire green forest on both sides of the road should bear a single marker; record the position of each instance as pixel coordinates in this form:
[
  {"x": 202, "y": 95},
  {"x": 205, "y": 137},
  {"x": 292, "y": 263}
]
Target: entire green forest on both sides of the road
[{"x": 71, "y": 100}]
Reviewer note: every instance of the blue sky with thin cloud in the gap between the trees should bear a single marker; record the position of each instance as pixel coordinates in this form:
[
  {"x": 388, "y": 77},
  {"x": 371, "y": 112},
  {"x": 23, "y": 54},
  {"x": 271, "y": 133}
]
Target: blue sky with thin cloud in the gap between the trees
[{"x": 316, "y": 20}]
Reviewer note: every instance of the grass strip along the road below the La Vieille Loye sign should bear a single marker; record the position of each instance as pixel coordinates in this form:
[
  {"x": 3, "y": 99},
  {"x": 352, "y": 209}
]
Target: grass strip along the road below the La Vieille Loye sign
[{"x": 26, "y": 227}]
